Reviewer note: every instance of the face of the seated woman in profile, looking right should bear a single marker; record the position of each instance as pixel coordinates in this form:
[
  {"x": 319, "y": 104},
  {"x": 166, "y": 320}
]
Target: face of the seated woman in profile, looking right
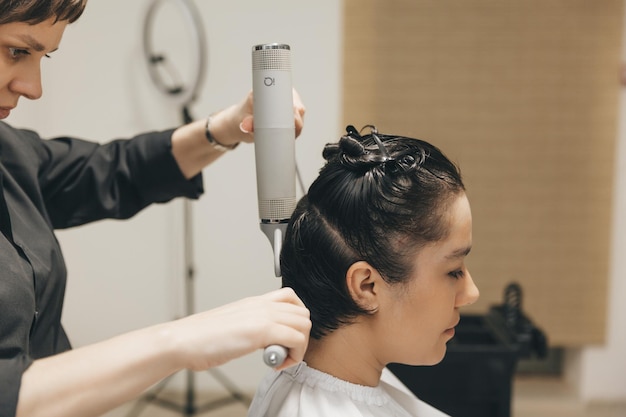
[{"x": 418, "y": 317}]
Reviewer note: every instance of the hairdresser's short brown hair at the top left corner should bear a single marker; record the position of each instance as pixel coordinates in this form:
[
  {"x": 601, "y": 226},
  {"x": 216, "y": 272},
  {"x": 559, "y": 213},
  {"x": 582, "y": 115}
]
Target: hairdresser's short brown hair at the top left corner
[{"x": 37, "y": 11}]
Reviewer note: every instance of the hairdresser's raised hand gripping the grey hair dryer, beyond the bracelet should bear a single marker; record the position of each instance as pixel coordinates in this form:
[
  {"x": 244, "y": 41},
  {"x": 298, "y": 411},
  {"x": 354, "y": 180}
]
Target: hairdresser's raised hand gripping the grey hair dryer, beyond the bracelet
[{"x": 235, "y": 123}]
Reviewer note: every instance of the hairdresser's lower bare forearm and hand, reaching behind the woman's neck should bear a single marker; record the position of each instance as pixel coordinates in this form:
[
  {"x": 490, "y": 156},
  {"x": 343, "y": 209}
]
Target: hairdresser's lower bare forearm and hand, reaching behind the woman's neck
[{"x": 92, "y": 380}]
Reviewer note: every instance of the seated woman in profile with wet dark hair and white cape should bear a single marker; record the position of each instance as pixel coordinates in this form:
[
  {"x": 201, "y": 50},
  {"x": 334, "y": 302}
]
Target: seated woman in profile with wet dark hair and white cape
[{"x": 376, "y": 252}]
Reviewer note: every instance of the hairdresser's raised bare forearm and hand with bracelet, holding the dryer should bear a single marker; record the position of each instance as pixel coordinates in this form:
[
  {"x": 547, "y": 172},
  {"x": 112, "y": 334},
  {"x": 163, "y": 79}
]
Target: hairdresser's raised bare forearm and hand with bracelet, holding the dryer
[{"x": 230, "y": 126}]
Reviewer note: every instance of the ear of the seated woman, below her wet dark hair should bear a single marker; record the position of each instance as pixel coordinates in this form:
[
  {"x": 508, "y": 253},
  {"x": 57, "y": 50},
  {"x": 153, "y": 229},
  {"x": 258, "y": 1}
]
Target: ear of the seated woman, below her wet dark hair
[{"x": 364, "y": 284}]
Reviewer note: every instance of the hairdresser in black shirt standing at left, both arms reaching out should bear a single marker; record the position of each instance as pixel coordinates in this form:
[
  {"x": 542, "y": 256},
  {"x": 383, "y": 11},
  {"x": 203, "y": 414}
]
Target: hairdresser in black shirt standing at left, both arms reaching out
[{"x": 65, "y": 182}]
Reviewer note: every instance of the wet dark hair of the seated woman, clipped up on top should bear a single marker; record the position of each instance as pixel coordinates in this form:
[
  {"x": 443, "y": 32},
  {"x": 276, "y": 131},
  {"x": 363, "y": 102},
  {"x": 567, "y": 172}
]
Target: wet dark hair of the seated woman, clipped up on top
[{"x": 379, "y": 198}]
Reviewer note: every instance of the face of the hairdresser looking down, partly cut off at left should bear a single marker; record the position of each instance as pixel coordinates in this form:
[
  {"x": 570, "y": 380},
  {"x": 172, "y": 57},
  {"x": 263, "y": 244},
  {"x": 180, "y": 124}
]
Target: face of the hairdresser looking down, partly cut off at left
[{"x": 22, "y": 47}]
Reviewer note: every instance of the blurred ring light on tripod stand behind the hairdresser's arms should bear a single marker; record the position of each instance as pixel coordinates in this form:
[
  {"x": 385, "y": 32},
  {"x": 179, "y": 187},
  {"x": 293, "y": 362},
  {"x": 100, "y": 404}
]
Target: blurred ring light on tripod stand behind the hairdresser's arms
[{"x": 184, "y": 96}]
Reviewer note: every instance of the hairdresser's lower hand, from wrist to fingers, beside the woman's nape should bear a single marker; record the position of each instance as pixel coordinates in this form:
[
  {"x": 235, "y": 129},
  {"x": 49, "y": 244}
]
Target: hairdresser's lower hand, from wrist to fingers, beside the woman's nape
[{"x": 217, "y": 336}]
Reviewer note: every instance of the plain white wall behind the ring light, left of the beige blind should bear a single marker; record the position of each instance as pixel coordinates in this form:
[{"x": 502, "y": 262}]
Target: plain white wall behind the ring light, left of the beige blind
[{"x": 128, "y": 274}]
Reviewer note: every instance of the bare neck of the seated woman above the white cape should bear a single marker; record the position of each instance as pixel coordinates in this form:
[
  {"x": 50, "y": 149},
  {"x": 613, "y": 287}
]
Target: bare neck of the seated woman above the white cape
[{"x": 345, "y": 354}]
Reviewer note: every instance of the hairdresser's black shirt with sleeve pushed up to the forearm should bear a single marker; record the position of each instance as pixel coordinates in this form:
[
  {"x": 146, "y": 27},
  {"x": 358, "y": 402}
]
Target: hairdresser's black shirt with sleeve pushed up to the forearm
[{"x": 55, "y": 184}]
